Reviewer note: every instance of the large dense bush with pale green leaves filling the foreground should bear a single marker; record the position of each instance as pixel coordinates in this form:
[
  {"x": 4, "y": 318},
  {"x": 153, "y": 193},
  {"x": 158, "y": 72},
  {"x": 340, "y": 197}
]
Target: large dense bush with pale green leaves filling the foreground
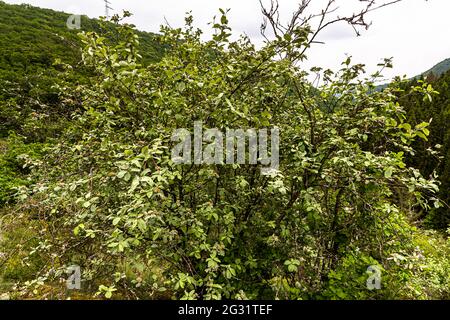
[{"x": 107, "y": 196}]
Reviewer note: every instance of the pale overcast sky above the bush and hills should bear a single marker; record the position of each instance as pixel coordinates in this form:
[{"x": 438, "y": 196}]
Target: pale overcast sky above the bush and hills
[{"x": 414, "y": 32}]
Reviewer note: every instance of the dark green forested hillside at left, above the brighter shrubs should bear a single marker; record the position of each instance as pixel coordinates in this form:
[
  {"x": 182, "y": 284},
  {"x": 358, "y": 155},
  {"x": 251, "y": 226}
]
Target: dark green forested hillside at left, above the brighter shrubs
[{"x": 31, "y": 40}]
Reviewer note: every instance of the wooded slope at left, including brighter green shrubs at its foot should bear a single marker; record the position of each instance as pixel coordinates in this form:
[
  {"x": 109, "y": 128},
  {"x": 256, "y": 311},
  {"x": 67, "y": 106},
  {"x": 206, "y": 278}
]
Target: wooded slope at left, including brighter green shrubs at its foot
[{"x": 35, "y": 44}]
